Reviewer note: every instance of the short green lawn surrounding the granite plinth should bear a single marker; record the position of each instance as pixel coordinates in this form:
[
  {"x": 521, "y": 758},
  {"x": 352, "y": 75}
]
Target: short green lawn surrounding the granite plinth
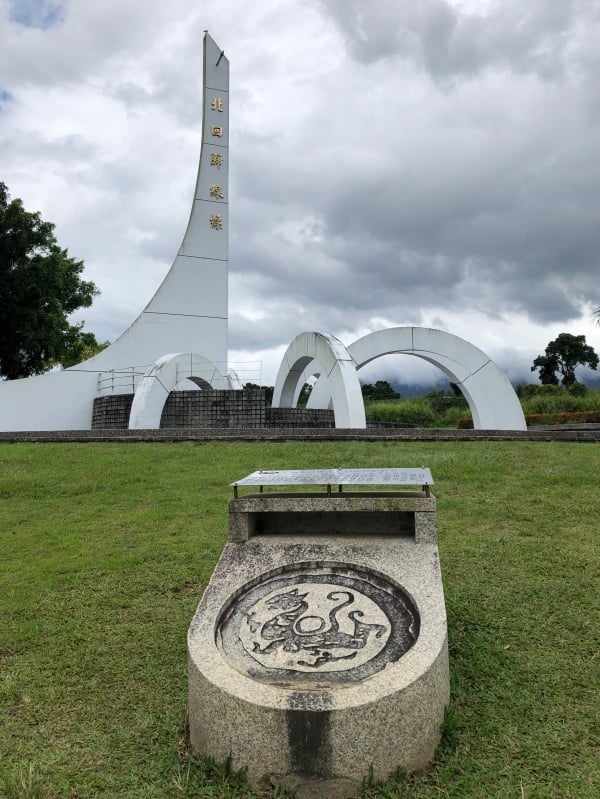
[{"x": 105, "y": 550}]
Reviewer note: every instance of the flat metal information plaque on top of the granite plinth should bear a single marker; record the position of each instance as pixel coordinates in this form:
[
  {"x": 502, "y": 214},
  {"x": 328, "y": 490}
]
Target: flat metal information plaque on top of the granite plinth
[{"x": 327, "y": 477}]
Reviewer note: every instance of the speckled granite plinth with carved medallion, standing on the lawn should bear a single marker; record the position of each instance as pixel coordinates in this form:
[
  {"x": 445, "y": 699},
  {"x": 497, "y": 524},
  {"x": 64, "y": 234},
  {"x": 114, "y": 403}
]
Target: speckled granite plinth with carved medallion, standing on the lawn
[{"x": 319, "y": 648}]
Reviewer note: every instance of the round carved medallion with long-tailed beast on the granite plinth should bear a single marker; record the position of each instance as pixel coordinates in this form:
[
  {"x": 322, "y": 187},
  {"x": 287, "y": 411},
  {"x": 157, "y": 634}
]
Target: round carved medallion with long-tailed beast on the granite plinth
[{"x": 326, "y": 624}]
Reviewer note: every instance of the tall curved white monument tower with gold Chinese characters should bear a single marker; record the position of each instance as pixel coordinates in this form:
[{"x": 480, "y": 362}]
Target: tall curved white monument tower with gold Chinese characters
[{"x": 188, "y": 313}]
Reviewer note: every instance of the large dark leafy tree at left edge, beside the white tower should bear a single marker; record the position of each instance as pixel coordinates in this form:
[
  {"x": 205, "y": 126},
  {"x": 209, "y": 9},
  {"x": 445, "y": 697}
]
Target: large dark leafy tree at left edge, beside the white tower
[{"x": 40, "y": 286}]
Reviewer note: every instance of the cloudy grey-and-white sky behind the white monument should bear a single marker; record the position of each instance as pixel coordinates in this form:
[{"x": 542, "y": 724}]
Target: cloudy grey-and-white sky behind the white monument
[{"x": 393, "y": 162}]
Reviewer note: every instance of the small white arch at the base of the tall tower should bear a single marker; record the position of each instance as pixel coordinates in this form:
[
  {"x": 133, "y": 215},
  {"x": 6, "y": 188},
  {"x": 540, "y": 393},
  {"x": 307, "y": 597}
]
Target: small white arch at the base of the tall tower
[{"x": 162, "y": 377}]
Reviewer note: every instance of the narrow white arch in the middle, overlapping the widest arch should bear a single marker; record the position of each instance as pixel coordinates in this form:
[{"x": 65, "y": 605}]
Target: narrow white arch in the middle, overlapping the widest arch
[{"x": 332, "y": 360}]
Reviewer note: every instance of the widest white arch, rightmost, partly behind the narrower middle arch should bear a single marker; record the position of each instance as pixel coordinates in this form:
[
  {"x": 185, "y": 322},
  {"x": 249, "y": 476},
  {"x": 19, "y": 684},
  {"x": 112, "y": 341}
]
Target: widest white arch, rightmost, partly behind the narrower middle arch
[{"x": 492, "y": 400}]
